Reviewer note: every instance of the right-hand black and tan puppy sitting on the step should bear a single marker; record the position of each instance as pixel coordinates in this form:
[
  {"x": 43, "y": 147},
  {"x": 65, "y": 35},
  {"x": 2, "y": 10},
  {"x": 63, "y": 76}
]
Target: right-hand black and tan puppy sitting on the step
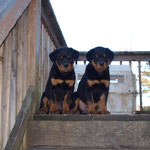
[{"x": 92, "y": 92}]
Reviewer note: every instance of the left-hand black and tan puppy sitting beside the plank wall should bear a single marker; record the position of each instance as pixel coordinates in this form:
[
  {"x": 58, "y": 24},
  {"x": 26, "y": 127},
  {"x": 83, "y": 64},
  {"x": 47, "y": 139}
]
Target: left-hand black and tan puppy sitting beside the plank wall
[{"x": 60, "y": 85}]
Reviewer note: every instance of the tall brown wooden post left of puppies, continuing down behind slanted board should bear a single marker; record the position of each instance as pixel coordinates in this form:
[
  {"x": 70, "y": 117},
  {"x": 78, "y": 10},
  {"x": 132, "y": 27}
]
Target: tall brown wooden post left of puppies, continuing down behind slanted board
[{"x": 33, "y": 48}]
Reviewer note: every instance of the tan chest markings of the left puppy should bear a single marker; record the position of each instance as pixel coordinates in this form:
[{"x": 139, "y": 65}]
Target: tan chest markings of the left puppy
[{"x": 67, "y": 83}]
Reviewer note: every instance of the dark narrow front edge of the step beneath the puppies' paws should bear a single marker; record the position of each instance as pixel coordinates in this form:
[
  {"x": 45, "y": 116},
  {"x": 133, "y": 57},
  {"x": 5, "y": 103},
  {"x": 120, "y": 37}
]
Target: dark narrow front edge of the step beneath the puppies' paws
[{"x": 72, "y": 117}]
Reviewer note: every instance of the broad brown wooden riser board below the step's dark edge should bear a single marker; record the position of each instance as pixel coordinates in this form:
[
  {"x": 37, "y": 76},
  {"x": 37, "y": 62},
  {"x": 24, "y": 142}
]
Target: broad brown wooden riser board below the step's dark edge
[{"x": 101, "y": 134}]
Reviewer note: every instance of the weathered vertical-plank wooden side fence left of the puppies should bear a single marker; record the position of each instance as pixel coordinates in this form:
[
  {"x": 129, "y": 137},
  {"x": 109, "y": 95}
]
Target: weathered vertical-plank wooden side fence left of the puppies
[{"x": 24, "y": 60}]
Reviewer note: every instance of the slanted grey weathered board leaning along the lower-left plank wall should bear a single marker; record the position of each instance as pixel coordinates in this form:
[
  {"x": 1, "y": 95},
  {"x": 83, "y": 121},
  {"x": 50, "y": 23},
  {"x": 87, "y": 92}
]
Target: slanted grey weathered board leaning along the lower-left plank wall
[{"x": 16, "y": 136}]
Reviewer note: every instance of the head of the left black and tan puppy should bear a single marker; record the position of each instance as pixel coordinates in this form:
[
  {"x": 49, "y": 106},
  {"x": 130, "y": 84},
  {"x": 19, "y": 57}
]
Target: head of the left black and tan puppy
[{"x": 64, "y": 58}]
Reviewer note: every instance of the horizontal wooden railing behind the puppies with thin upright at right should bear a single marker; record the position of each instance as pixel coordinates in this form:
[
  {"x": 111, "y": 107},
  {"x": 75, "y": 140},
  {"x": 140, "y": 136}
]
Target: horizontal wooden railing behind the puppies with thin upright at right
[{"x": 130, "y": 57}]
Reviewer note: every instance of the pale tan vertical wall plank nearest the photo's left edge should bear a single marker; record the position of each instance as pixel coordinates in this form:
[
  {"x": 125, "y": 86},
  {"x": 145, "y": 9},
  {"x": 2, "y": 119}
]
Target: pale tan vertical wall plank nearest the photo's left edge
[{"x": 6, "y": 89}]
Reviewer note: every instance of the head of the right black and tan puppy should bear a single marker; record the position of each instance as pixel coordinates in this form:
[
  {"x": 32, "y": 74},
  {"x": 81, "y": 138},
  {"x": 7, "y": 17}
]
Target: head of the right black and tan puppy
[{"x": 100, "y": 58}]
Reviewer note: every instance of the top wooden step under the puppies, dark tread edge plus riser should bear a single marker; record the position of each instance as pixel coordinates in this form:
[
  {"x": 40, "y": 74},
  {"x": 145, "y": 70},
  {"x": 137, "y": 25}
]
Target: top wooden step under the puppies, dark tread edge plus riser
[{"x": 90, "y": 131}]
